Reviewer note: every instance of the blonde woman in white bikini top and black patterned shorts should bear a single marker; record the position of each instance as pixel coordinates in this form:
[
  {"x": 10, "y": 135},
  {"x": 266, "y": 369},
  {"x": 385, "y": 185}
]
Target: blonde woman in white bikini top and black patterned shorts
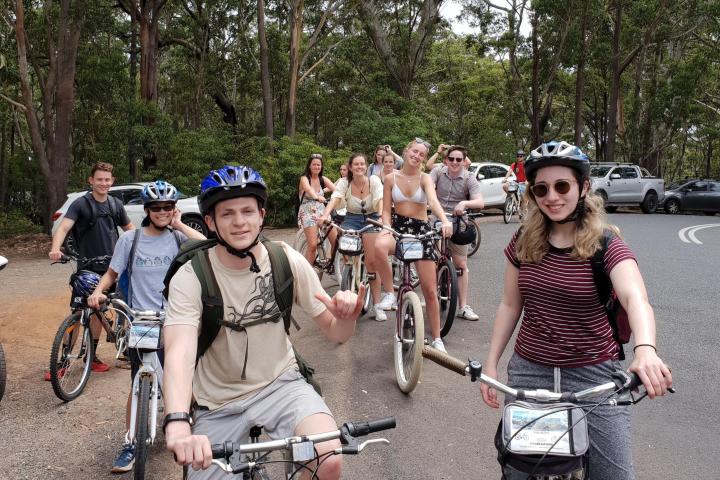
[{"x": 407, "y": 195}]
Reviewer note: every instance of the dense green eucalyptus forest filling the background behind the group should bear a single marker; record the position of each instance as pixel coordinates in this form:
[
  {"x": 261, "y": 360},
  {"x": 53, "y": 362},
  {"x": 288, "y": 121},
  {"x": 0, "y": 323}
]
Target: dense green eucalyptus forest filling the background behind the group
[{"x": 172, "y": 89}]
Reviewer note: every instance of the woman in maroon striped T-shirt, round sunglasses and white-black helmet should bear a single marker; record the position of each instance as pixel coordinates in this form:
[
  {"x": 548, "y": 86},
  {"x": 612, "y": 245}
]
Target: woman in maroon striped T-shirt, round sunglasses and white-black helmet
[{"x": 565, "y": 336}]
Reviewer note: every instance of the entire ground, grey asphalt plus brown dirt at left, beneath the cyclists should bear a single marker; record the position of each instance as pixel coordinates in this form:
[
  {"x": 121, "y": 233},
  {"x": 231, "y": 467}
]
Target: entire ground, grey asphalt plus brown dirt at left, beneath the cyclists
[{"x": 444, "y": 430}]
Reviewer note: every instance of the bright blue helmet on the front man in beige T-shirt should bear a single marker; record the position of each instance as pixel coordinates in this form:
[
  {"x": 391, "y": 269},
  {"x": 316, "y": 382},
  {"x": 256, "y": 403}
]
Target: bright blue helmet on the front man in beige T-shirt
[{"x": 231, "y": 182}]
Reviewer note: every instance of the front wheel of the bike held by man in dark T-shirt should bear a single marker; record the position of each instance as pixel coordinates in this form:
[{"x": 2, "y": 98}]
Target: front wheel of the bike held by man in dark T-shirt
[{"x": 71, "y": 358}]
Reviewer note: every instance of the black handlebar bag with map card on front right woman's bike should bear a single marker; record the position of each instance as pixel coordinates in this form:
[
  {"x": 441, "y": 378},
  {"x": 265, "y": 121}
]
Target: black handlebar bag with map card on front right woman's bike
[{"x": 528, "y": 431}]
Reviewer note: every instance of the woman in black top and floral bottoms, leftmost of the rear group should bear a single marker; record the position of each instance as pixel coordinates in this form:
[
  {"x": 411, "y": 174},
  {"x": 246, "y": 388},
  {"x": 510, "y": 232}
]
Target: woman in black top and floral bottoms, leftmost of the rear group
[{"x": 311, "y": 191}]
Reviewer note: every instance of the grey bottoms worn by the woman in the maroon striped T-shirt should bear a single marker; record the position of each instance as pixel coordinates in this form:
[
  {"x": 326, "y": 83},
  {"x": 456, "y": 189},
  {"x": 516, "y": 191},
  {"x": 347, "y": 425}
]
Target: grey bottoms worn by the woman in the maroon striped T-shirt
[{"x": 610, "y": 452}]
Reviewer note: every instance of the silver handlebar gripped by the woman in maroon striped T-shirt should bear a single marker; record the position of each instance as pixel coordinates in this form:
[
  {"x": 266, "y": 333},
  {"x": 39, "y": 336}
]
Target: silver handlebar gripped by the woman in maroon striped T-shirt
[{"x": 623, "y": 382}]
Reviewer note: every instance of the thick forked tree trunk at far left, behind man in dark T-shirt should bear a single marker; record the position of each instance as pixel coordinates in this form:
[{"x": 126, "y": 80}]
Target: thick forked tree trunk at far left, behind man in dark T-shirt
[{"x": 50, "y": 132}]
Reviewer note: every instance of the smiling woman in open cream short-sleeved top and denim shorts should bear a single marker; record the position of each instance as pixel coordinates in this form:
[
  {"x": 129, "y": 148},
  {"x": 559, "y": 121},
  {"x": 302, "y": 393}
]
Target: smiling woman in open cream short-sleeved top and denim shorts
[{"x": 362, "y": 196}]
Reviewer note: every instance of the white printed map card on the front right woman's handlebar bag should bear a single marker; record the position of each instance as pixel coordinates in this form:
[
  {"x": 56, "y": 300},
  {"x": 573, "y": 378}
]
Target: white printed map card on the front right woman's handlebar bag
[{"x": 540, "y": 435}]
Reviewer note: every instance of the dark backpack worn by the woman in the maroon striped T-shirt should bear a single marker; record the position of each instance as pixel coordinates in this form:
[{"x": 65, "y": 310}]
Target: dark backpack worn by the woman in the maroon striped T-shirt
[{"x": 617, "y": 316}]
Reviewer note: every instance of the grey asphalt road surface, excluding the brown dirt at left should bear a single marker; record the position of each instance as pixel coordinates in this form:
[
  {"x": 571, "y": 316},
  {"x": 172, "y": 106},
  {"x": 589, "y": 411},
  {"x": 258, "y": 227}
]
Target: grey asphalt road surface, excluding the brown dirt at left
[{"x": 445, "y": 431}]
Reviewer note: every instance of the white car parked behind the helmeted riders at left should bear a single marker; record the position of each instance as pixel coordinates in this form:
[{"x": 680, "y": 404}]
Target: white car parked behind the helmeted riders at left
[{"x": 129, "y": 194}]
